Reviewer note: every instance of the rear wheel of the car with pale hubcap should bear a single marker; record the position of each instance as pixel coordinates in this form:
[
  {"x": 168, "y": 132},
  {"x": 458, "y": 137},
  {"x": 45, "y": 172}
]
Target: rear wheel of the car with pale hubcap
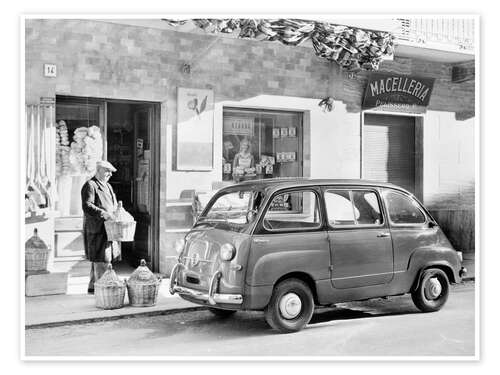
[{"x": 432, "y": 291}]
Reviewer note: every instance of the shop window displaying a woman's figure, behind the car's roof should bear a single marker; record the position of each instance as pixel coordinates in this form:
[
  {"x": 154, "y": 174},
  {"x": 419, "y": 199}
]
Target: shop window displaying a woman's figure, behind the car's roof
[{"x": 261, "y": 144}]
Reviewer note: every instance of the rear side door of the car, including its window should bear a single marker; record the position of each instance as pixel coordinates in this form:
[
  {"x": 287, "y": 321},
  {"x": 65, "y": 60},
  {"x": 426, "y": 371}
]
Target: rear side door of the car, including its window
[{"x": 359, "y": 237}]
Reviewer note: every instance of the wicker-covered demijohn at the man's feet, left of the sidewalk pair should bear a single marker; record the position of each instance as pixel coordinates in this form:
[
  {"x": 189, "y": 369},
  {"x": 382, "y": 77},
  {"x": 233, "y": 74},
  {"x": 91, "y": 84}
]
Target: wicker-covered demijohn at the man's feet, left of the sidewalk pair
[{"x": 109, "y": 290}]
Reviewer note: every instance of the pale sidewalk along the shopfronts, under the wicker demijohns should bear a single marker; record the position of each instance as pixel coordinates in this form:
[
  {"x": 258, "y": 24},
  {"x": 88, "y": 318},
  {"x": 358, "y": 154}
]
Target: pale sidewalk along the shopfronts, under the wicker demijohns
[{"x": 78, "y": 307}]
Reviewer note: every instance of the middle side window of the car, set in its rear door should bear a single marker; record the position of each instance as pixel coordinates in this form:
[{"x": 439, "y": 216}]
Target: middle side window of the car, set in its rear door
[{"x": 356, "y": 207}]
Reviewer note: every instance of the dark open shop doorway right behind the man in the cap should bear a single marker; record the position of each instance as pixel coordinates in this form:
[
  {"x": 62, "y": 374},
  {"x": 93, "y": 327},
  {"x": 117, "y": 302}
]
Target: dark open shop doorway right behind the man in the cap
[{"x": 130, "y": 131}]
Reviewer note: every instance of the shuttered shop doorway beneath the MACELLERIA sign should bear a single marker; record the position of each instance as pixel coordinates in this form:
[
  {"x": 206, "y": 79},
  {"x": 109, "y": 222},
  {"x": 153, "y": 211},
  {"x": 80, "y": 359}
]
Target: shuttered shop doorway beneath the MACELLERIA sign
[{"x": 392, "y": 150}]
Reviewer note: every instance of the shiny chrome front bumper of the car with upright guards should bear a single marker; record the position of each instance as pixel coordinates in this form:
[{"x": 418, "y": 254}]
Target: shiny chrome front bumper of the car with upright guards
[{"x": 211, "y": 297}]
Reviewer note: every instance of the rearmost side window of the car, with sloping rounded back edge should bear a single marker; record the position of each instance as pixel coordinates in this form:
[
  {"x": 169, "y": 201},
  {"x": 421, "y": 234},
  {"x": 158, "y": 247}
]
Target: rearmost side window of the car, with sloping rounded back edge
[{"x": 403, "y": 209}]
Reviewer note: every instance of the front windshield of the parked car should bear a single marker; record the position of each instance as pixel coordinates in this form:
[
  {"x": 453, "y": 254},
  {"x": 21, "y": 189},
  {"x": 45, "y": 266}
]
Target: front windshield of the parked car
[{"x": 235, "y": 209}]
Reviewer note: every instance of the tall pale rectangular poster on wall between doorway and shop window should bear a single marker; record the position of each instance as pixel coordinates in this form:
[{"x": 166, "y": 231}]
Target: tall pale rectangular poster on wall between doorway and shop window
[{"x": 195, "y": 118}]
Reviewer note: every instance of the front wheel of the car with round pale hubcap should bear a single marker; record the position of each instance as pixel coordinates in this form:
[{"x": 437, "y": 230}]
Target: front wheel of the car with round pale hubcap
[{"x": 291, "y": 306}]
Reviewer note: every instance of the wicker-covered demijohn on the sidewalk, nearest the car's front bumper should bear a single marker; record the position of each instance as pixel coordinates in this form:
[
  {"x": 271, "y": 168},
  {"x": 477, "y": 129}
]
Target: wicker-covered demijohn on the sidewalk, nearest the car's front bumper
[{"x": 143, "y": 286}]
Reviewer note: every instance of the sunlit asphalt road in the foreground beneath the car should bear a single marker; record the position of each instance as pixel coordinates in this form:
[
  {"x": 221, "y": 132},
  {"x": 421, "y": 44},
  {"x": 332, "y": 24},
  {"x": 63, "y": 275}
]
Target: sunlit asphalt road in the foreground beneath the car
[{"x": 392, "y": 327}]
